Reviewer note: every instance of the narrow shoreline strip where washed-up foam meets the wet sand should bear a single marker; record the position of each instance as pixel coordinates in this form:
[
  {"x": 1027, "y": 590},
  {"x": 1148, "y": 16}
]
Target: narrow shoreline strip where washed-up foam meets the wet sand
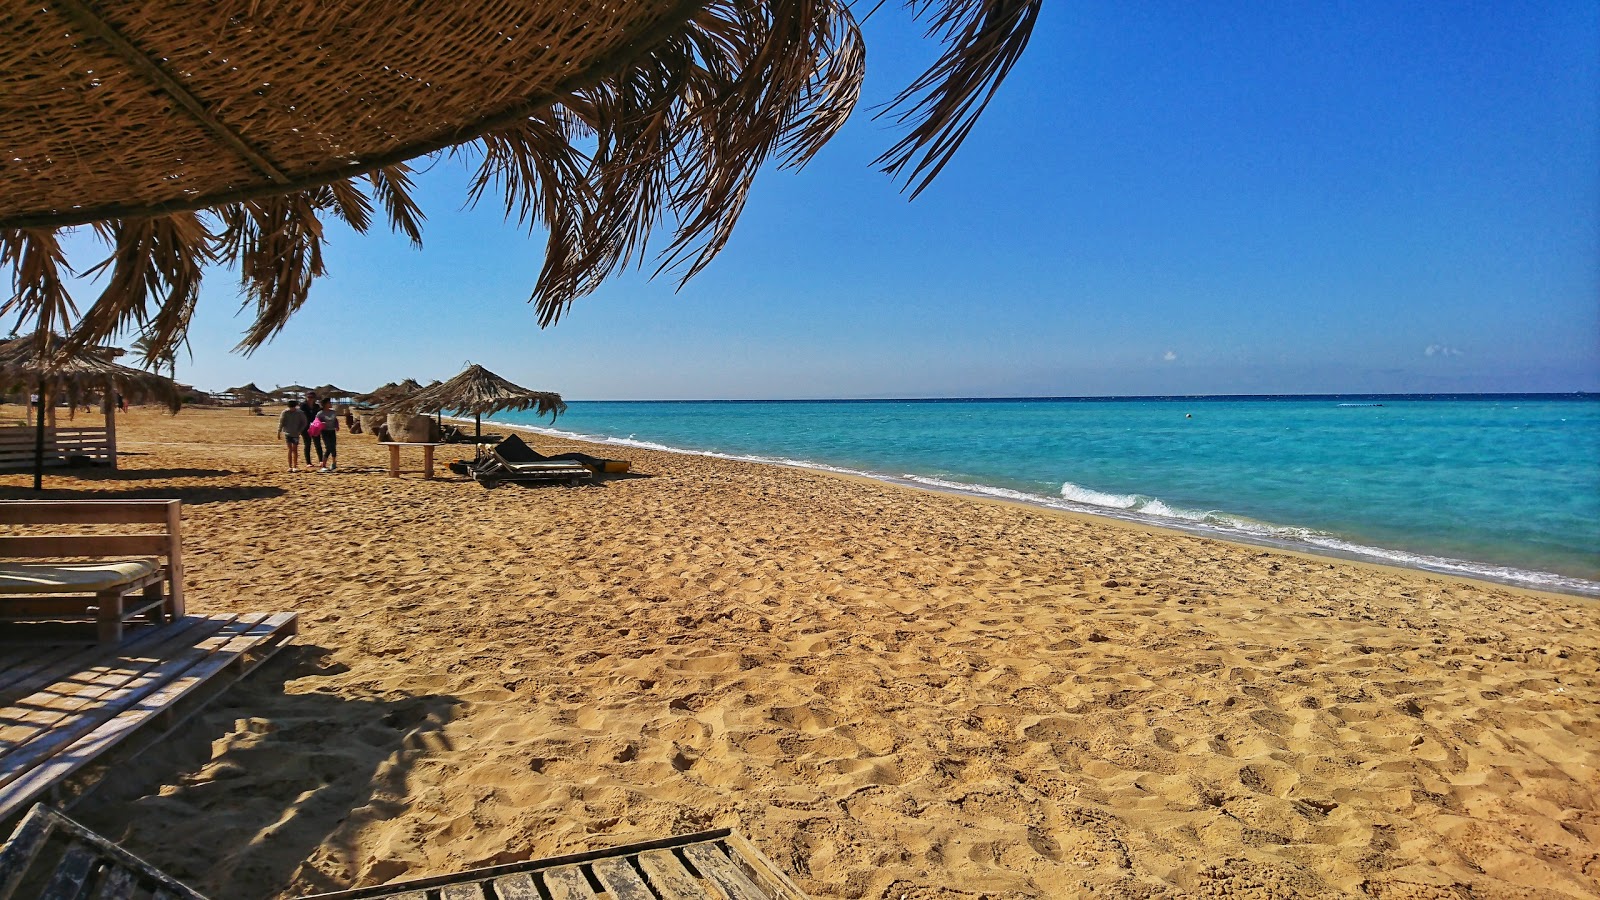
[{"x": 1527, "y": 581}]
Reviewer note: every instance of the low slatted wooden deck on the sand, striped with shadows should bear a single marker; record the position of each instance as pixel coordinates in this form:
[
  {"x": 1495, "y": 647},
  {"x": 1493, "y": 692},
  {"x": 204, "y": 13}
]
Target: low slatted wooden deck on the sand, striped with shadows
[{"x": 68, "y": 710}]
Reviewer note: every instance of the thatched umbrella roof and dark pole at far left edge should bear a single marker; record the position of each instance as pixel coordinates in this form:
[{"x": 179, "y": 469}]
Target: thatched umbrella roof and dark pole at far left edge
[{"x": 63, "y": 371}]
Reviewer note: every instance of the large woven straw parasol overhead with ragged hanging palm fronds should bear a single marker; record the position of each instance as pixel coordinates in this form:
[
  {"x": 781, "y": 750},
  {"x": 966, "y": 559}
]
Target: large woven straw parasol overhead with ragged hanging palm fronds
[{"x": 198, "y": 132}]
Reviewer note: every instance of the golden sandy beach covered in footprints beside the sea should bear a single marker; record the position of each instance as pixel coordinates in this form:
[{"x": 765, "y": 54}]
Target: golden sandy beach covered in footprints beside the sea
[{"x": 895, "y": 694}]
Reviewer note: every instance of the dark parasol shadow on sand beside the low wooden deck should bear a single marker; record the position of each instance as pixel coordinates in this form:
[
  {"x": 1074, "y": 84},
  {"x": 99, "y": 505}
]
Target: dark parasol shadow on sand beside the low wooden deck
[{"x": 242, "y": 795}]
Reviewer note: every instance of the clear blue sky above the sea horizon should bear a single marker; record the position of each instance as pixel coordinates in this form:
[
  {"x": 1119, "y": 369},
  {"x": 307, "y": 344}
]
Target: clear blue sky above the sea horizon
[{"x": 1162, "y": 199}]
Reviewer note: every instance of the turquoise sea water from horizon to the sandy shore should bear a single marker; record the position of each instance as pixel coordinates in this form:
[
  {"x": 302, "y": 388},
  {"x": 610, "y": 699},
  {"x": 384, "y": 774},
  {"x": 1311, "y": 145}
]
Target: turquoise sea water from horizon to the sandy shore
[{"x": 1502, "y": 488}]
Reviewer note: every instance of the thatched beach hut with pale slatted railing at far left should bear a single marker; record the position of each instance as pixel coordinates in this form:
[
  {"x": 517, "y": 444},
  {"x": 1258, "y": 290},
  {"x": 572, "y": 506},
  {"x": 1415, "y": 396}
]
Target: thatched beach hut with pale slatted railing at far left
[{"x": 60, "y": 371}]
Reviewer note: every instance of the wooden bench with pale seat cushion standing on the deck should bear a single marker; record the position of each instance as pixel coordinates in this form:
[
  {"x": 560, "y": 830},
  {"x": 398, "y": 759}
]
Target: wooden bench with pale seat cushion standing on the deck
[{"x": 106, "y": 579}]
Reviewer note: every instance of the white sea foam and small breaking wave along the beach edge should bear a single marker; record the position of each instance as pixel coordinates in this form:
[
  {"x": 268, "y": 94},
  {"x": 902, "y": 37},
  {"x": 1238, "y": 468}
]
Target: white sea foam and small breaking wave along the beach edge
[{"x": 1151, "y": 512}]
